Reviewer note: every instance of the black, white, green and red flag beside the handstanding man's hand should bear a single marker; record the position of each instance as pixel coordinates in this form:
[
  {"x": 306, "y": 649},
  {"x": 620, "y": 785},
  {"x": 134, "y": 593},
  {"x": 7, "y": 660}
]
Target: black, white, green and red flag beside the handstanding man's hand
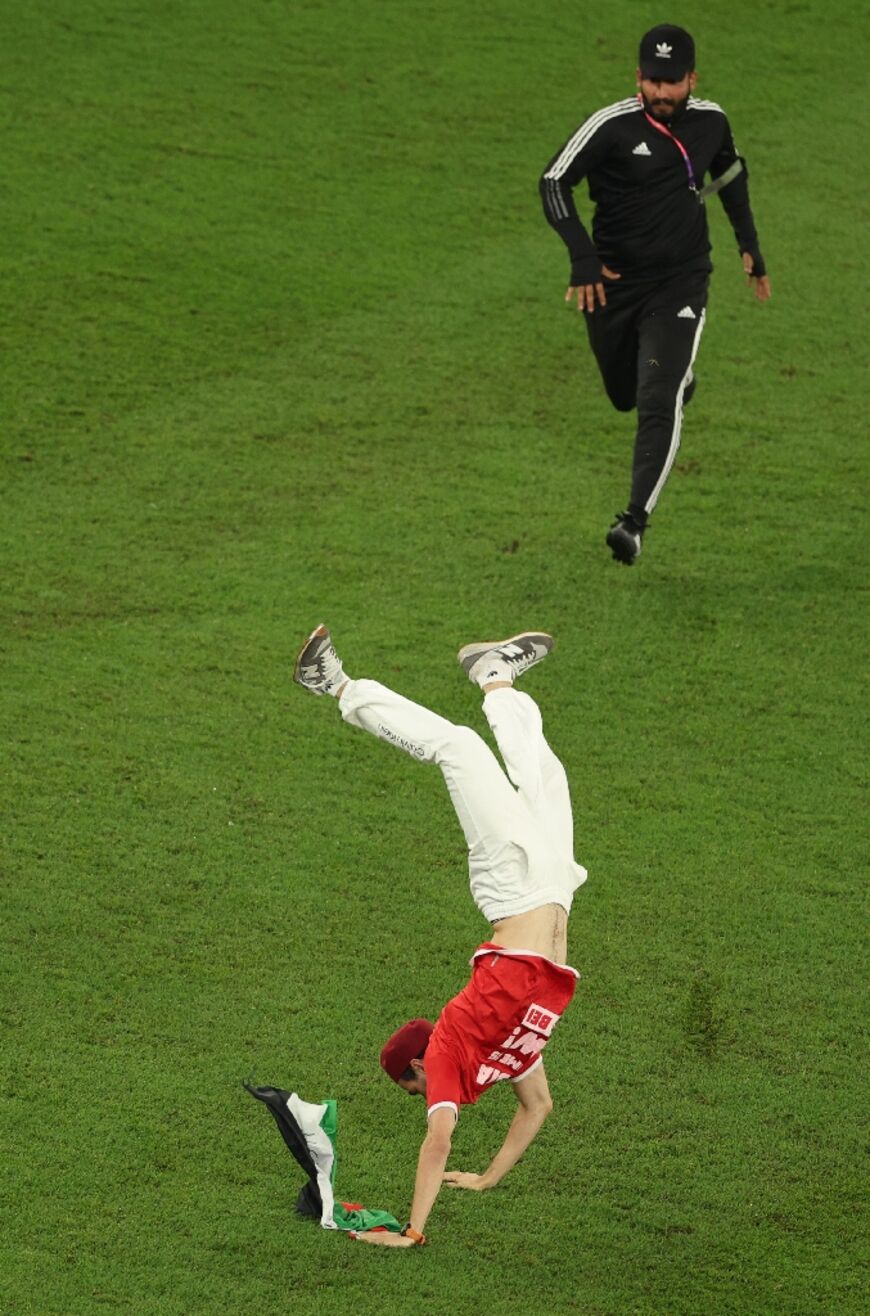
[{"x": 309, "y": 1130}]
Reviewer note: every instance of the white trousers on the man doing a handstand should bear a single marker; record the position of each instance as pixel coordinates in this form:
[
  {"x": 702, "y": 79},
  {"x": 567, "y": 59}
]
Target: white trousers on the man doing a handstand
[{"x": 521, "y": 836}]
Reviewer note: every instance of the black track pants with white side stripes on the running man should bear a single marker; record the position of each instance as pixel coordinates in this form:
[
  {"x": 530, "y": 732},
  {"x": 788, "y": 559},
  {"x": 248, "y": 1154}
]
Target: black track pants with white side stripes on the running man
[{"x": 646, "y": 342}]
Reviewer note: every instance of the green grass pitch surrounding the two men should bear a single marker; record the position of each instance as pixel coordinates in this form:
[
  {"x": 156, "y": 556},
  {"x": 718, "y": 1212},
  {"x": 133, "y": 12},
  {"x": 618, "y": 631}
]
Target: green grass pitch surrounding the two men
[{"x": 284, "y": 340}]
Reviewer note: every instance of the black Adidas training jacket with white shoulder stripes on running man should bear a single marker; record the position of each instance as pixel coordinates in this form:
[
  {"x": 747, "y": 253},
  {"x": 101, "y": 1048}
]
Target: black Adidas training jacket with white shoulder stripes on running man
[{"x": 648, "y": 220}]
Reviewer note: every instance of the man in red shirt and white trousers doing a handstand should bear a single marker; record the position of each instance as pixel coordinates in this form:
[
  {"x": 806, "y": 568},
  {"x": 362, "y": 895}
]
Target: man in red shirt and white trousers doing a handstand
[{"x": 521, "y": 838}]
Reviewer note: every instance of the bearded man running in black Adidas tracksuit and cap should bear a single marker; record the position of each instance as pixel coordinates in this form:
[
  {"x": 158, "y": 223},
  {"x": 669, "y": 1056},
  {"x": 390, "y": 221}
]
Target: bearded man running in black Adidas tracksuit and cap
[{"x": 642, "y": 280}]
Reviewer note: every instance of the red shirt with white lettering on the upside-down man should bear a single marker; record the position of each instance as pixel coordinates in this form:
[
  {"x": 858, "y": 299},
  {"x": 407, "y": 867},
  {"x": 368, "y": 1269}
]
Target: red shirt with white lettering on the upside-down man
[{"x": 498, "y": 1026}]
